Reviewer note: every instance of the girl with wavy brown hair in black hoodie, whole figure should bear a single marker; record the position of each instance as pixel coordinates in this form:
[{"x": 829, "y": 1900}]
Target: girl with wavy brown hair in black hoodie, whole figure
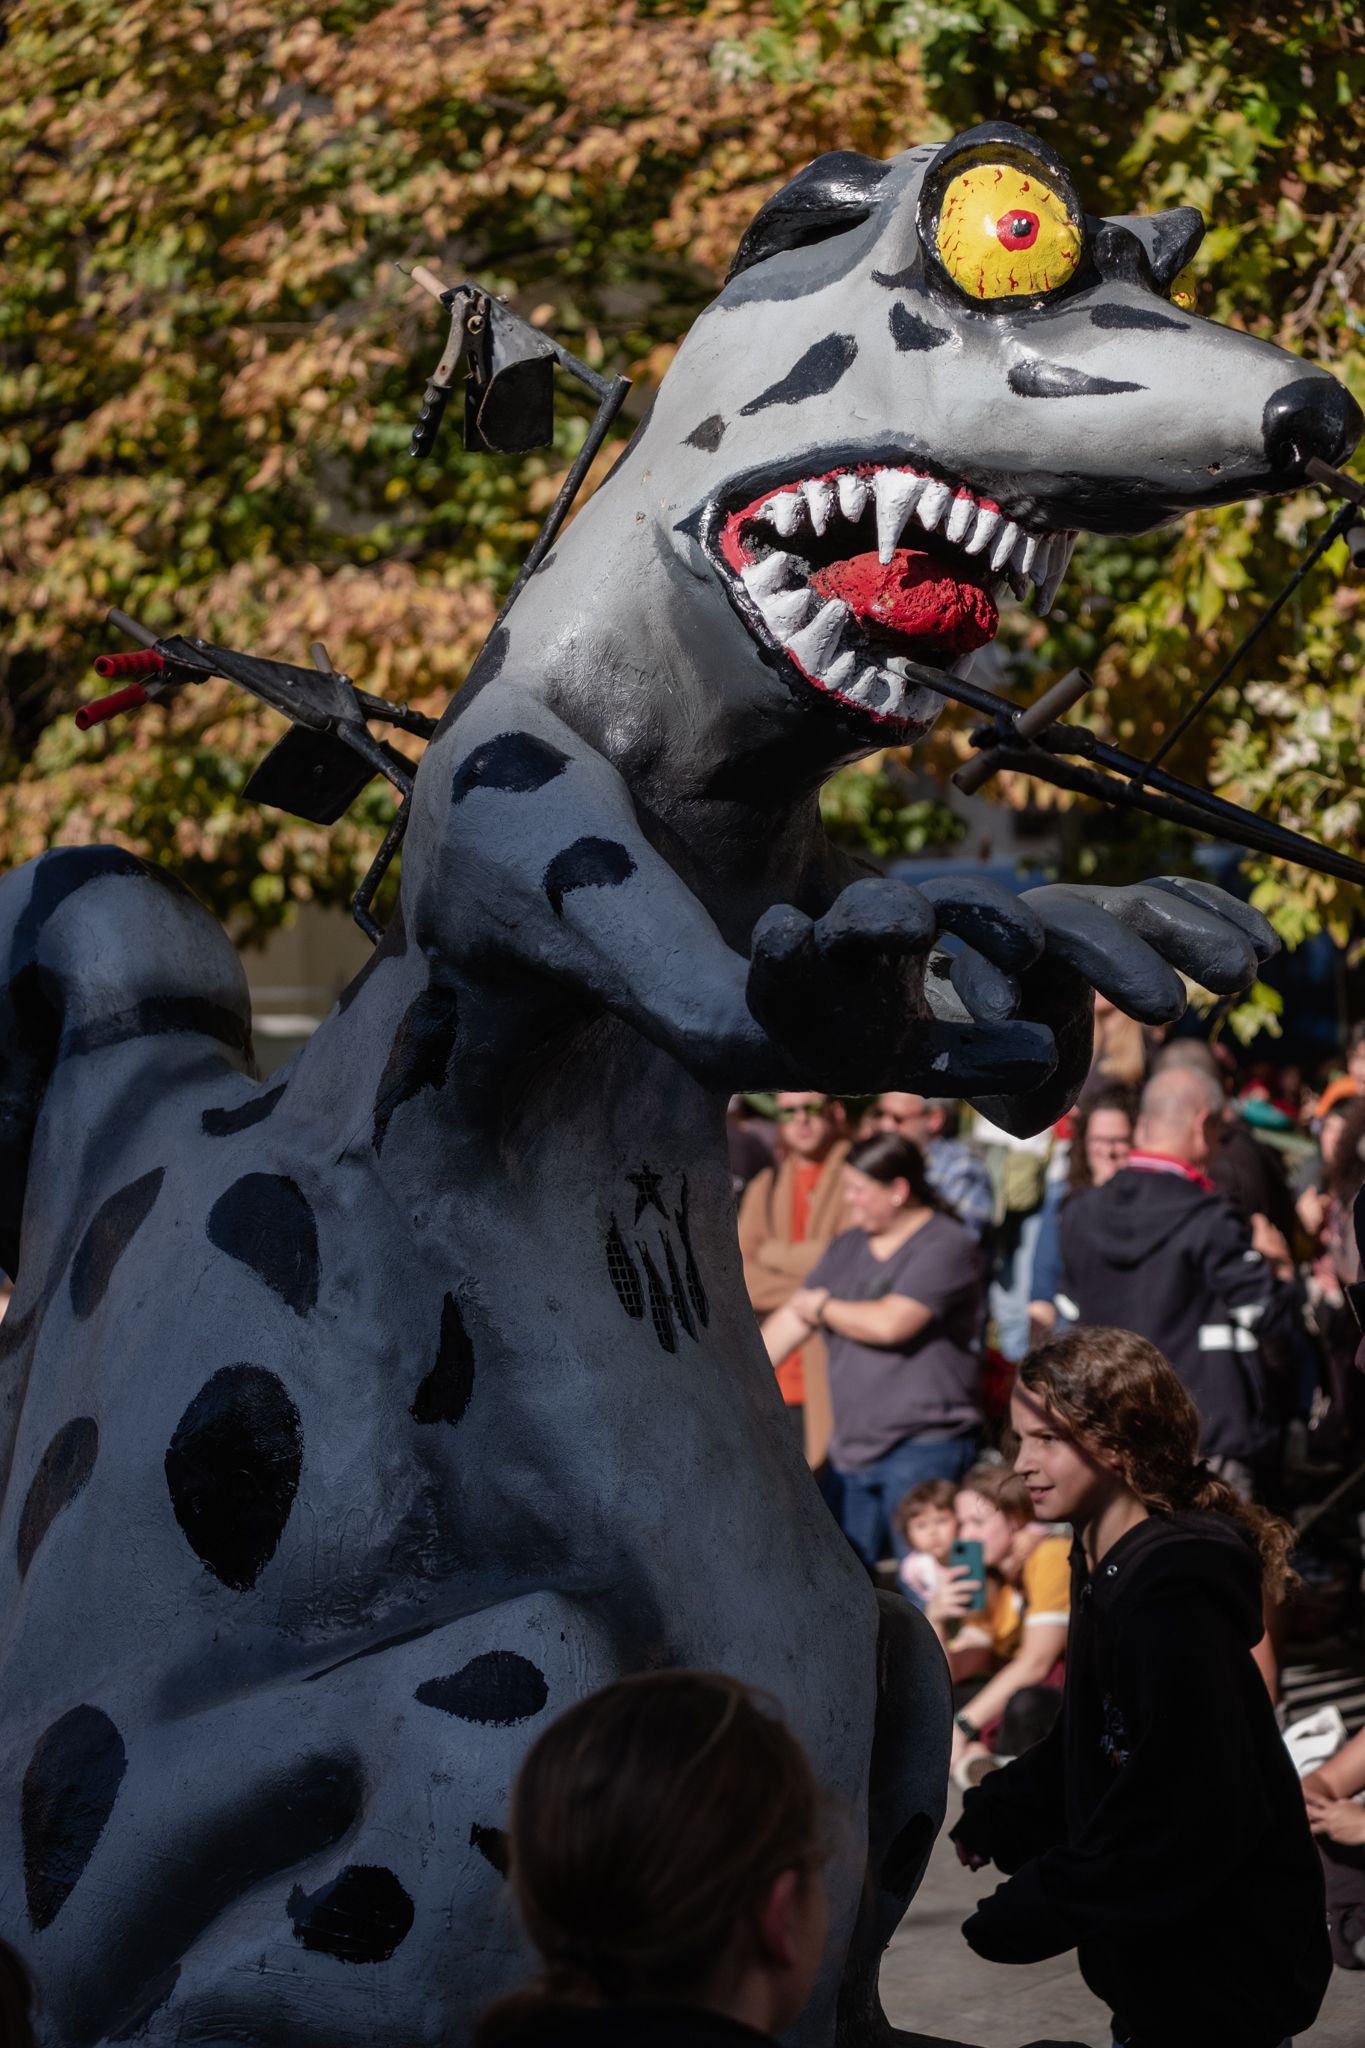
[{"x": 1159, "y": 1830}]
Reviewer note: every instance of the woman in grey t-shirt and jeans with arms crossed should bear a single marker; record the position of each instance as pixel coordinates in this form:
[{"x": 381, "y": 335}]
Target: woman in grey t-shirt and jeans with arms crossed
[{"x": 897, "y": 1302}]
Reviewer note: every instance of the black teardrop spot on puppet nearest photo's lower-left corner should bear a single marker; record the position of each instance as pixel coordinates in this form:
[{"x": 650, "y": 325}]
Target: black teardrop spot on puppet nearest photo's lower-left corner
[{"x": 69, "y": 1795}]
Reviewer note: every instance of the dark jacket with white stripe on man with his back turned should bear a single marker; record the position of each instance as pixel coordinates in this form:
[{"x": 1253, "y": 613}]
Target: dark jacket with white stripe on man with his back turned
[{"x": 1157, "y": 1254}]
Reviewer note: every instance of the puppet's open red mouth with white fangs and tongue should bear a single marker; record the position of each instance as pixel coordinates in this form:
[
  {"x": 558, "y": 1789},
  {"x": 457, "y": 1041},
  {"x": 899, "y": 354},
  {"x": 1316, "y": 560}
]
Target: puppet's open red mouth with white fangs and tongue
[{"x": 867, "y": 568}]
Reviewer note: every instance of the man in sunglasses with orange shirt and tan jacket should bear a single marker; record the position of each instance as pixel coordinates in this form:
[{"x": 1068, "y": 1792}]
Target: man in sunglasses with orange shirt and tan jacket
[{"x": 787, "y": 1222}]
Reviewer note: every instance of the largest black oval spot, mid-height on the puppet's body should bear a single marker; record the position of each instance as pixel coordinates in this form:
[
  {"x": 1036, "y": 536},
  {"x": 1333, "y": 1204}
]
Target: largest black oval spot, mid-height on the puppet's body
[{"x": 232, "y": 1471}]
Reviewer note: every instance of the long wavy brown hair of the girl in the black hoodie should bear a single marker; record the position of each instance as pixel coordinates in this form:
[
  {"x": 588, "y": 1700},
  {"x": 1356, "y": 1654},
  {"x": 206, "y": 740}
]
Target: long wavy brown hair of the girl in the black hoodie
[{"x": 1114, "y": 1392}]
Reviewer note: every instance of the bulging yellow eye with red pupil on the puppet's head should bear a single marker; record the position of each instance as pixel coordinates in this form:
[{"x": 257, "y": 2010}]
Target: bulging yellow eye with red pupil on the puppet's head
[{"x": 1004, "y": 234}]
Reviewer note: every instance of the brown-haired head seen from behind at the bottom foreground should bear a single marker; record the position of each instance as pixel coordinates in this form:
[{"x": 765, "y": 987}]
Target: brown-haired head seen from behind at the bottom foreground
[{"x": 646, "y": 1824}]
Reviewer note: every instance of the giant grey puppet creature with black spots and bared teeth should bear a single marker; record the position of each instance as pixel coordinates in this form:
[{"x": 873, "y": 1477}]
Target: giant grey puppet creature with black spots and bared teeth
[{"x": 359, "y": 1422}]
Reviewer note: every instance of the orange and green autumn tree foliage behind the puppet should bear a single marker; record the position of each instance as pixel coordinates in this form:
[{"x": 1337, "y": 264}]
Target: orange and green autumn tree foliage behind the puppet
[{"x": 210, "y": 364}]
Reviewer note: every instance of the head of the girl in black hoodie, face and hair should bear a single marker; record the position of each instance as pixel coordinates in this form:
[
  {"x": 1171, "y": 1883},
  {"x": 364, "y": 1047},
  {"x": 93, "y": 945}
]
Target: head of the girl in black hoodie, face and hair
[{"x": 1102, "y": 1414}]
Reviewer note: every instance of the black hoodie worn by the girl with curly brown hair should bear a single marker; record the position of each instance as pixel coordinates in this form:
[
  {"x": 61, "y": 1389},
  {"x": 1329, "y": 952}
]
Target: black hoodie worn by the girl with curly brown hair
[{"x": 1161, "y": 1828}]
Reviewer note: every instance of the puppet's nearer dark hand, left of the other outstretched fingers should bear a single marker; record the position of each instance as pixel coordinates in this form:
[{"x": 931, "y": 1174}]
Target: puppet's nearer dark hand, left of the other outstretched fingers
[{"x": 848, "y": 996}]
